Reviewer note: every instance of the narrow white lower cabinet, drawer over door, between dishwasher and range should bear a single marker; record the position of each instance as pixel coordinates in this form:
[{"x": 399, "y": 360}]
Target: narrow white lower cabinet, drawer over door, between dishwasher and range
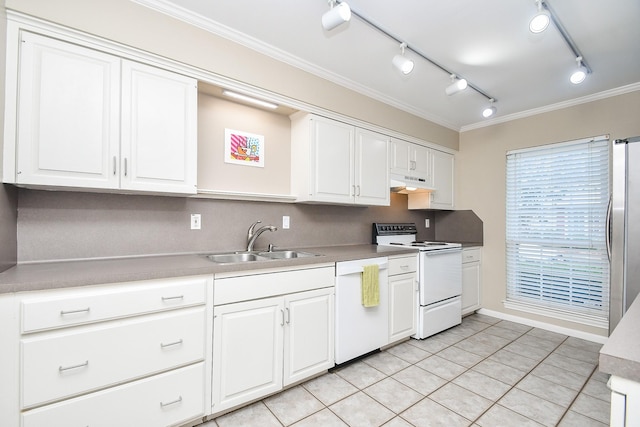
[{"x": 403, "y": 289}]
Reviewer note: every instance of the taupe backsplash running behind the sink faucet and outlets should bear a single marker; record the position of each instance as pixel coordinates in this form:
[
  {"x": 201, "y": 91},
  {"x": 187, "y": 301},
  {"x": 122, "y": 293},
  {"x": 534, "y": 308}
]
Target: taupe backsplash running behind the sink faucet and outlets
[{"x": 57, "y": 225}]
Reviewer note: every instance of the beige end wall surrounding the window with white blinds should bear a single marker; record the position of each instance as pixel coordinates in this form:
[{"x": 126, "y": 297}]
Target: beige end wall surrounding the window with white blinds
[{"x": 481, "y": 173}]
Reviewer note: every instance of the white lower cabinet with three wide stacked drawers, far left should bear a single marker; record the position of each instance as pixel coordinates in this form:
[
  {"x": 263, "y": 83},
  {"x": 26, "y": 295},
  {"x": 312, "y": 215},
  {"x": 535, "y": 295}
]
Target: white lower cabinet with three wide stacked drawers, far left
[{"x": 90, "y": 356}]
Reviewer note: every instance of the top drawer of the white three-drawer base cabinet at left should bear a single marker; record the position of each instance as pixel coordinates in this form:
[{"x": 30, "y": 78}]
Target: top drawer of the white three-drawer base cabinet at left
[{"x": 68, "y": 307}]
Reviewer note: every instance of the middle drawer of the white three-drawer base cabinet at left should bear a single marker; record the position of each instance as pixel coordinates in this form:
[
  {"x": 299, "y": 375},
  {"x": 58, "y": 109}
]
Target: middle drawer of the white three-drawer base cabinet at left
[{"x": 64, "y": 363}]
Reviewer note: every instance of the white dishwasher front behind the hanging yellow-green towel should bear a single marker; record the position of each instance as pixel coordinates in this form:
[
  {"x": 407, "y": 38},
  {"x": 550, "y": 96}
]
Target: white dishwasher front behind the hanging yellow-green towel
[{"x": 359, "y": 329}]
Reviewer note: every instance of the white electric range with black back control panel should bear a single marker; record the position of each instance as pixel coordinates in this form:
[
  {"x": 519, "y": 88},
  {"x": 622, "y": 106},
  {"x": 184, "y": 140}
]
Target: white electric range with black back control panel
[{"x": 439, "y": 276}]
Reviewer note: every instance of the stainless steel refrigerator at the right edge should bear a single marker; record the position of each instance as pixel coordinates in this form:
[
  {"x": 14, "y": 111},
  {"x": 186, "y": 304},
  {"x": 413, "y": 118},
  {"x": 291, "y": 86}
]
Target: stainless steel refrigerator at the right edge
[{"x": 624, "y": 243}]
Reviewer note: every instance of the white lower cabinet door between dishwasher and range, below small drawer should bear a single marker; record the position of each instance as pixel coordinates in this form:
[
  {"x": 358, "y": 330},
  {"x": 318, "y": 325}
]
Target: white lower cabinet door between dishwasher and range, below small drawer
[{"x": 402, "y": 306}]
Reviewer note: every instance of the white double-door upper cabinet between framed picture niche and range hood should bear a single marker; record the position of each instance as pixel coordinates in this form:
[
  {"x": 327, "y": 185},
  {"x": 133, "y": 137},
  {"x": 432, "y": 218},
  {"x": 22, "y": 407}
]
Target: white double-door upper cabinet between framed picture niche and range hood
[{"x": 333, "y": 162}]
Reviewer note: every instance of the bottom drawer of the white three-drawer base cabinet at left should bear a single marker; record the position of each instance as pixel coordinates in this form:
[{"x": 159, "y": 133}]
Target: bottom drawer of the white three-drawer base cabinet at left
[{"x": 162, "y": 400}]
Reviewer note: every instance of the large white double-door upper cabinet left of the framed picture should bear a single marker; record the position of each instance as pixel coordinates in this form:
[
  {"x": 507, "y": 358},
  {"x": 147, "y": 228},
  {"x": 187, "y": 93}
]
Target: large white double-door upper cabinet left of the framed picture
[{"x": 88, "y": 119}]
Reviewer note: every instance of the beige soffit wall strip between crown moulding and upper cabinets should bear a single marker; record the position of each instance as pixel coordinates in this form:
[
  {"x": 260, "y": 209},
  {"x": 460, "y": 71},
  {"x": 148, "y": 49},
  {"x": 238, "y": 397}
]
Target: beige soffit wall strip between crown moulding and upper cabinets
[{"x": 129, "y": 23}]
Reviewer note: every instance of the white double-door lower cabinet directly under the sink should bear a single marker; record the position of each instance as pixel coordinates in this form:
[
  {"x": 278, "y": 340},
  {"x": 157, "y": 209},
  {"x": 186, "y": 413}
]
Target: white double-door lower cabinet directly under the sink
[{"x": 263, "y": 345}]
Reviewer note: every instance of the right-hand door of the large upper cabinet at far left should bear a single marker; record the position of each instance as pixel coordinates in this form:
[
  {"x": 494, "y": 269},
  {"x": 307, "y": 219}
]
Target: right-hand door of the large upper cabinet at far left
[{"x": 159, "y": 135}]
